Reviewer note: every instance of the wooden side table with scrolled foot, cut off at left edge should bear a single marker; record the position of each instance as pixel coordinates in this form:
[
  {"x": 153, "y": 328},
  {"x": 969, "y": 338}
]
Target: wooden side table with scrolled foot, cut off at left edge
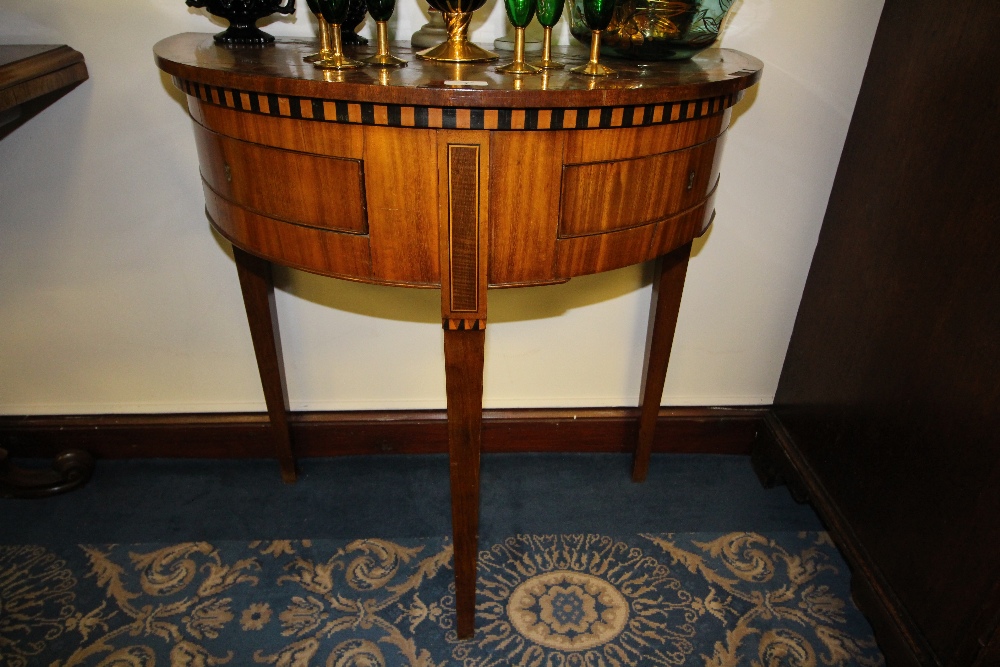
[{"x": 32, "y": 76}]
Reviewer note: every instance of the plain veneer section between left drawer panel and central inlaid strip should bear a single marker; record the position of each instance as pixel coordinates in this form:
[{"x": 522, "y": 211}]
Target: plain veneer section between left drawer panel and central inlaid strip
[{"x": 401, "y": 180}]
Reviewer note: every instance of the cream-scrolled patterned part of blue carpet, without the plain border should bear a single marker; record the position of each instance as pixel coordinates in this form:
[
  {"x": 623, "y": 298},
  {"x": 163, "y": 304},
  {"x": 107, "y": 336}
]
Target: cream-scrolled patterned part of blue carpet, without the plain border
[{"x": 712, "y": 600}]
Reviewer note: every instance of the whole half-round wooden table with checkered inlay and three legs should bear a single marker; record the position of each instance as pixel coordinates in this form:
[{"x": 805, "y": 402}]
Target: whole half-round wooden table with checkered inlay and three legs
[{"x": 397, "y": 178}]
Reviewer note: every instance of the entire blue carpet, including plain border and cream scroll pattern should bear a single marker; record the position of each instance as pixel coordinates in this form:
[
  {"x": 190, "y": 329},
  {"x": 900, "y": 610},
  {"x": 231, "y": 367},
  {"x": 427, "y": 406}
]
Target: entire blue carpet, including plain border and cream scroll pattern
[{"x": 175, "y": 563}]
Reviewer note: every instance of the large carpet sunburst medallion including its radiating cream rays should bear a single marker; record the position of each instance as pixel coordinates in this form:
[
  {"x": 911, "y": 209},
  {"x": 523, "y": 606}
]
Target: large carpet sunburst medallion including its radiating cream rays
[{"x": 578, "y": 600}]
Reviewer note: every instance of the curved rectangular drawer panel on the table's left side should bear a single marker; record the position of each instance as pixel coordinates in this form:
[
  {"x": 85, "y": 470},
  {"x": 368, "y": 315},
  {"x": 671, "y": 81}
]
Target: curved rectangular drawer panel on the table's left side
[{"x": 305, "y": 189}]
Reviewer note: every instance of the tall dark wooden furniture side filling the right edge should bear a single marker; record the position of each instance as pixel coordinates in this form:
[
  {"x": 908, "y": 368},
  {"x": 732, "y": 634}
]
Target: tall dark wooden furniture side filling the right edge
[{"x": 889, "y": 399}]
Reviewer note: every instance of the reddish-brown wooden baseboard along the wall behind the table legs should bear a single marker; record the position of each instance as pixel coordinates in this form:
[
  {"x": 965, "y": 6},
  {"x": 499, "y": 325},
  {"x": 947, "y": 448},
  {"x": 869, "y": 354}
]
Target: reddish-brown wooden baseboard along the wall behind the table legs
[{"x": 245, "y": 435}]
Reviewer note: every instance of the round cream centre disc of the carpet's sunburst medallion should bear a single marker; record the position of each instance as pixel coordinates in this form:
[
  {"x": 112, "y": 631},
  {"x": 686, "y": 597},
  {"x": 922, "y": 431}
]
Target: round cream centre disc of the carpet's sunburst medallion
[{"x": 568, "y": 611}]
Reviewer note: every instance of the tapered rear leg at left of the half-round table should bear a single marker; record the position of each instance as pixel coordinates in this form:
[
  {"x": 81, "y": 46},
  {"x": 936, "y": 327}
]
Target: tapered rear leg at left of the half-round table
[{"x": 258, "y": 297}]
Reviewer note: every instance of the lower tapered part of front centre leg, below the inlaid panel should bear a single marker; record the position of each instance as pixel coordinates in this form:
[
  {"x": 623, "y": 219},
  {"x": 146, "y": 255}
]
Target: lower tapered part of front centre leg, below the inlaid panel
[{"x": 463, "y": 357}]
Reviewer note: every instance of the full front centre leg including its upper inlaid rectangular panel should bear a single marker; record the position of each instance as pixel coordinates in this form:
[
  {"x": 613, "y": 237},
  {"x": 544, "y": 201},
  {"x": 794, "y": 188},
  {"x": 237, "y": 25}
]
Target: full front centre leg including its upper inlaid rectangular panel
[{"x": 463, "y": 161}]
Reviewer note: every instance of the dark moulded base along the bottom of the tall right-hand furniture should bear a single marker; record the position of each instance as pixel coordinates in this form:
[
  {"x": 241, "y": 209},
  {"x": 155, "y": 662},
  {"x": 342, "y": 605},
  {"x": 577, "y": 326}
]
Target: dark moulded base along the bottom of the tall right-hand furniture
[{"x": 778, "y": 461}]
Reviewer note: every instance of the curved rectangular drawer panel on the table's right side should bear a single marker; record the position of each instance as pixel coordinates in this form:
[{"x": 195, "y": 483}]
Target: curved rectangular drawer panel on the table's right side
[{"x": 616, "y": 195}]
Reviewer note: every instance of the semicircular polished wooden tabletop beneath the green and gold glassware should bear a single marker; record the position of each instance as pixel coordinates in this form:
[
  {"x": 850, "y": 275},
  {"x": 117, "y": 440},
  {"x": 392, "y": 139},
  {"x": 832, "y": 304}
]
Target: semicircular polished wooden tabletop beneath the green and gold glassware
[{"x": 278, "y": 69}]
